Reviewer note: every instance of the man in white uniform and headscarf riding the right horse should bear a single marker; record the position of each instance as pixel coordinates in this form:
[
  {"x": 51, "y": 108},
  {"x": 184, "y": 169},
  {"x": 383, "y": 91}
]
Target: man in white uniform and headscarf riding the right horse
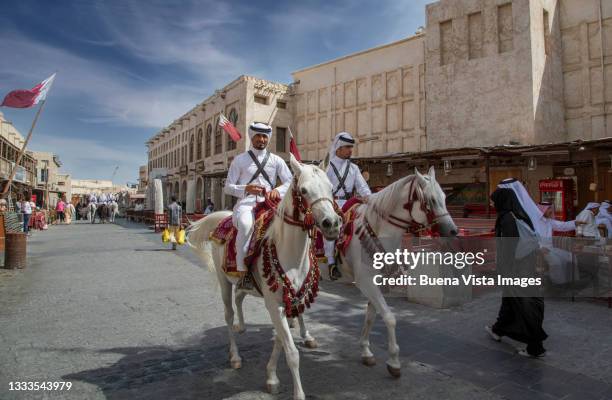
[{"x": 346, "y": 179}]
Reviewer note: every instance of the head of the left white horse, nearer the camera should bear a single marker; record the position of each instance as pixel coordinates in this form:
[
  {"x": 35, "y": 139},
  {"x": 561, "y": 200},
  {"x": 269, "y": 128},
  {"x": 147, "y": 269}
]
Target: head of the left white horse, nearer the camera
[{"x": 313, "y": 190}]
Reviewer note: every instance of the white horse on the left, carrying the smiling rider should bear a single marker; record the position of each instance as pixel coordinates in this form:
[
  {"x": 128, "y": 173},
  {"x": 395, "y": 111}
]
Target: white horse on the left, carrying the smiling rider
[{"x": 308, "y": 197}]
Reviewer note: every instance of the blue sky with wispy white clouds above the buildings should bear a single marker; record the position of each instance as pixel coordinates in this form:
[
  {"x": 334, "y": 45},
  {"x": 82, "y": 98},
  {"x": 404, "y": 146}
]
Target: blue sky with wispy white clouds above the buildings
[{"x": 127, "y": 68}]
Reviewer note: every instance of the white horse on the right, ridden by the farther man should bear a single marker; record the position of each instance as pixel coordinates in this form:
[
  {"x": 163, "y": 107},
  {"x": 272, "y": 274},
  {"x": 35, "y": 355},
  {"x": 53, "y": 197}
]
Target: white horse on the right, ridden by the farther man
[{"x": 413, "y": 203}]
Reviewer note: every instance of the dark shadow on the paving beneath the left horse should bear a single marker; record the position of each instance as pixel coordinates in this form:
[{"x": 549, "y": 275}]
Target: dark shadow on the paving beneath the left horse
[{"x": 200, "y": 369}]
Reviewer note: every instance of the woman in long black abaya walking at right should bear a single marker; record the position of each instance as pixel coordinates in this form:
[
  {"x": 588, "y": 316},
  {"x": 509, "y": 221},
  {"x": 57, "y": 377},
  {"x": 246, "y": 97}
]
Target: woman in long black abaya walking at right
[{"x": 521, "y": 314}]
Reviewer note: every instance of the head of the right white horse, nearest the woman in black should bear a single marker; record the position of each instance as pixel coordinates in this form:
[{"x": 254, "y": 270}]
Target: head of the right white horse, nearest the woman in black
[{"x": 429, "y": 209}]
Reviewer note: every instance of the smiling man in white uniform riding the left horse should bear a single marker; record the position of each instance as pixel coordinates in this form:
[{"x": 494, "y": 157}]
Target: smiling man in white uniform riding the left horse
[{"x": 252, "y": 176}]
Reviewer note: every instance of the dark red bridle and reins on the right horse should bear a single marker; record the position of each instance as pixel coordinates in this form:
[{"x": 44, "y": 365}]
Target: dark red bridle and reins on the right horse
[{"x": 416, "y": 194}]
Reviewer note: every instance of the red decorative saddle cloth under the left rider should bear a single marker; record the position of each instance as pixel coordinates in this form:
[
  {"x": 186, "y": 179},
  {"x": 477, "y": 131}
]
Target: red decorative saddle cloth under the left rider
[{"x": 225, "y": 233}]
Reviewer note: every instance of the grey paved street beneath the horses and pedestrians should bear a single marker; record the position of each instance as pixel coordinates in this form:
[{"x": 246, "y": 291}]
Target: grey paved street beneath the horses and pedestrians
[{"x": 114, "y": 311}]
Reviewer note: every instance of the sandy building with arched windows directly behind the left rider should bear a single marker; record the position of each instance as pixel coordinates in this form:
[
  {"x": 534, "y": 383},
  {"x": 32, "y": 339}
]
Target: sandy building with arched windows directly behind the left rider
[{"x": 197, "y": 153}]
